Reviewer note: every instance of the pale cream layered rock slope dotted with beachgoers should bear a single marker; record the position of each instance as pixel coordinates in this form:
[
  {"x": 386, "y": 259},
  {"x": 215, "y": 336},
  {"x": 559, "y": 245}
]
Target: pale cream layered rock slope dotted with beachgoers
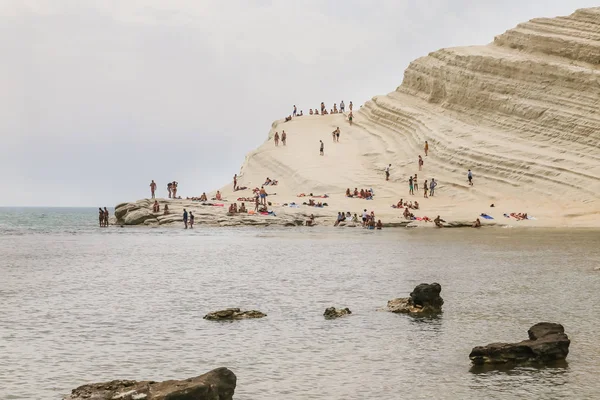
[{"x": 521, "y": 113}]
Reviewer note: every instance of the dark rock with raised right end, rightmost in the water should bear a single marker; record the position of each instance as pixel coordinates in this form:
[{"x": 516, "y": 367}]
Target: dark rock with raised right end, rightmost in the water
[{"x": 547, "y": 342}]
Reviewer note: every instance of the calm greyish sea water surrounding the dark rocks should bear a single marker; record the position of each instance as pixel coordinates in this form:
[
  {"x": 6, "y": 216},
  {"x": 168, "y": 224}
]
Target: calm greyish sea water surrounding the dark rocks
[{"x": 81, "y": 304}]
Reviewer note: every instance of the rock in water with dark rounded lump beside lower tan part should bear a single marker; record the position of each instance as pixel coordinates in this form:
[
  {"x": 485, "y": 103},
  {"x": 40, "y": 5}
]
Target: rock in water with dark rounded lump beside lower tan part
[{"x": 424, "y": 299}]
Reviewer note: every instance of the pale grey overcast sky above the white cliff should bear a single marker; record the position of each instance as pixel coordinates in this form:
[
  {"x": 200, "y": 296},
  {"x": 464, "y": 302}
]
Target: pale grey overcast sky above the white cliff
[{"x": 99, "y": 97}]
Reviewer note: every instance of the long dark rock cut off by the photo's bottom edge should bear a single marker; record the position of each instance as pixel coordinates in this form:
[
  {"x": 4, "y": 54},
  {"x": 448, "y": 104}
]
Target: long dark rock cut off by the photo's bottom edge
[{"x": 218, "y": 384}]
